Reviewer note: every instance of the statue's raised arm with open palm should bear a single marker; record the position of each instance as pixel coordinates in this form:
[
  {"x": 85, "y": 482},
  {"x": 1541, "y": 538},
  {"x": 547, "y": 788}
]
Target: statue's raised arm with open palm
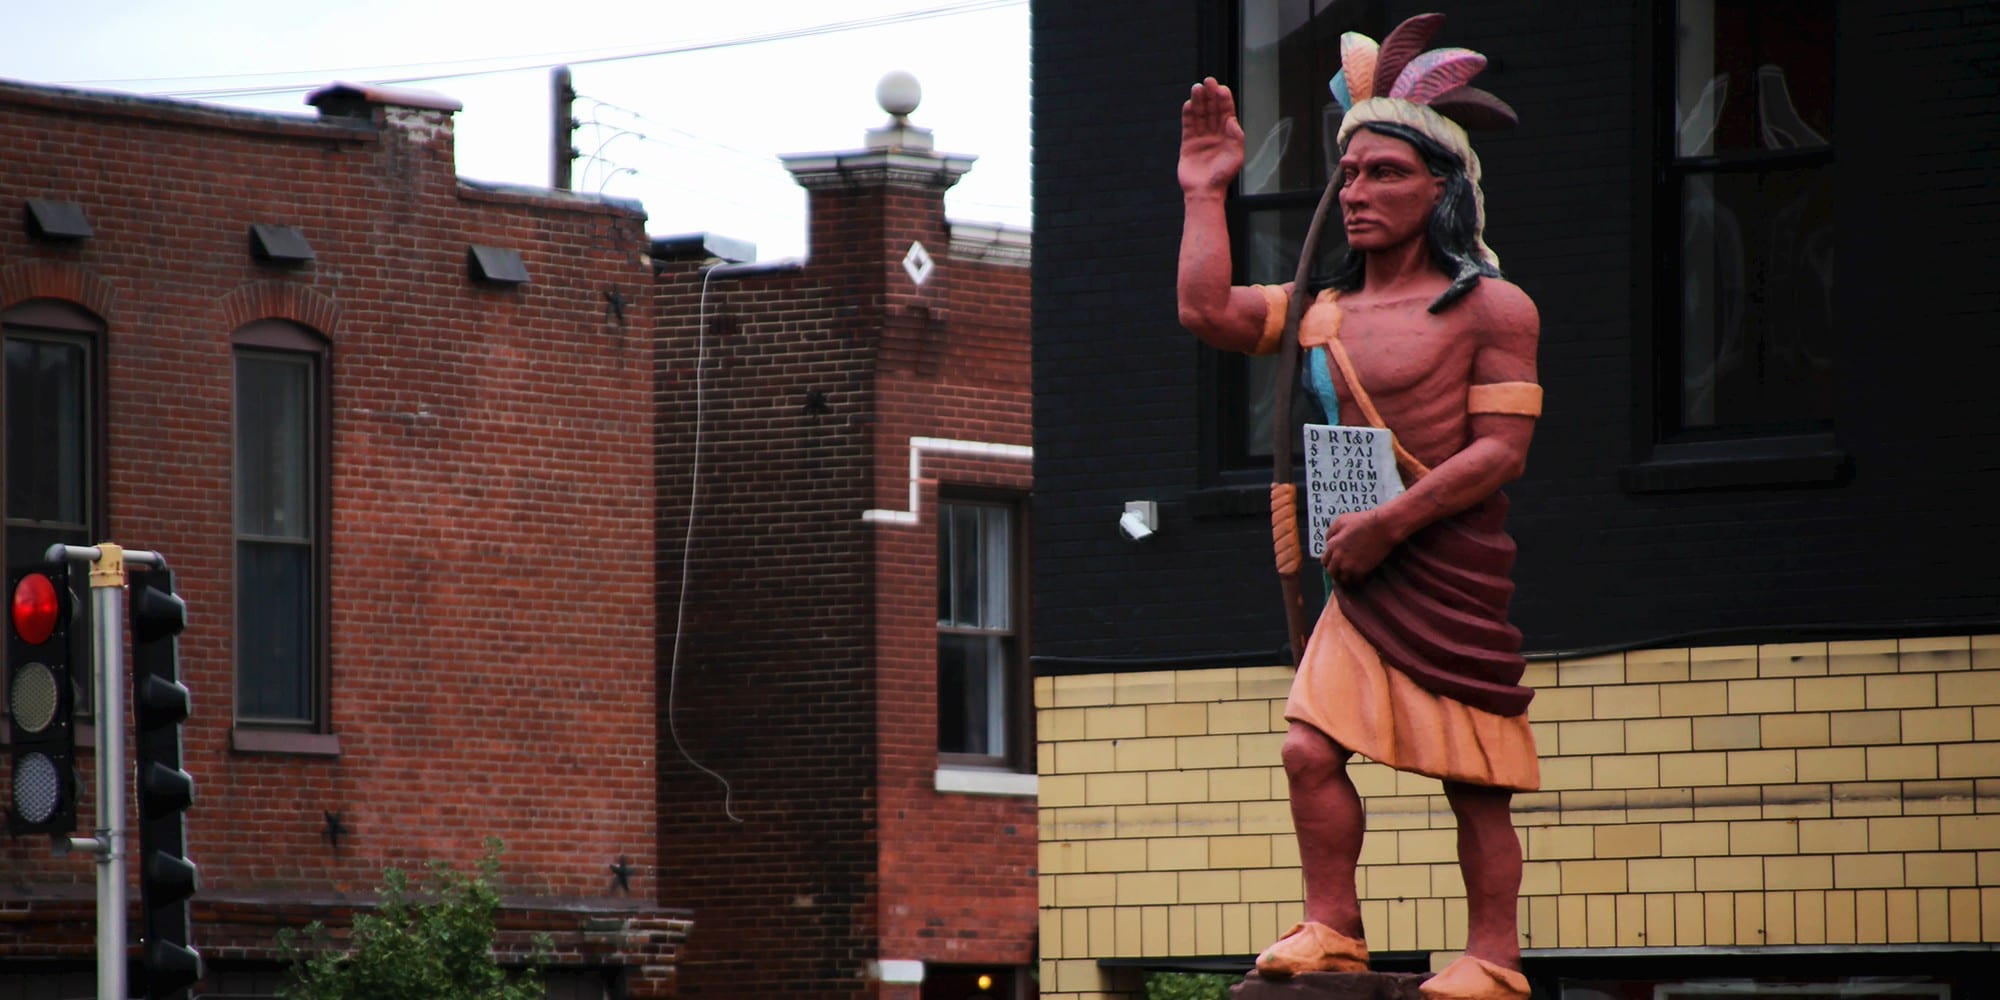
[{"x": 1211, "y": 155}]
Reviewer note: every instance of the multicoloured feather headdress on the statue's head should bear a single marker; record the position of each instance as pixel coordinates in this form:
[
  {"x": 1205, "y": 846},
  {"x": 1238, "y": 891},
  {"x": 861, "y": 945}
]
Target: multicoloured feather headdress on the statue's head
[{"x": 1431, "y": 93}]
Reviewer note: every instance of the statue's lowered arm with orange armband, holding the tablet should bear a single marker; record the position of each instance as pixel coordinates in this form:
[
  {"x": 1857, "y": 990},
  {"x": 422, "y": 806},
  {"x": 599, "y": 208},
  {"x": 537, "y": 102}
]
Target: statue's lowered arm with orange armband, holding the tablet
[{"x": 1497, "y": 451}]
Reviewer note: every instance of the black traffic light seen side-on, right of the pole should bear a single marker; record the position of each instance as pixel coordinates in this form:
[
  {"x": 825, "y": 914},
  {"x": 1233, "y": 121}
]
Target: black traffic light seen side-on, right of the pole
[{"x": 167, "y": 879}]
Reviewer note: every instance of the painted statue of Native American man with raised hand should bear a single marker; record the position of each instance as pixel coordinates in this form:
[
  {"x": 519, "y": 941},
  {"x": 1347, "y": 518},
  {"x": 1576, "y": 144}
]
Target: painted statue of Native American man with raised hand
[{"x": 1413, "y": 661}]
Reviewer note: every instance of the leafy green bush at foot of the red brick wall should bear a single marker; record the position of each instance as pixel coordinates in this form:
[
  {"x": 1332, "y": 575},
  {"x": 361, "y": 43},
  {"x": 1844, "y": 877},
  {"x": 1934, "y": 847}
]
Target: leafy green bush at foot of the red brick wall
[{"x": 433, "y": 945}]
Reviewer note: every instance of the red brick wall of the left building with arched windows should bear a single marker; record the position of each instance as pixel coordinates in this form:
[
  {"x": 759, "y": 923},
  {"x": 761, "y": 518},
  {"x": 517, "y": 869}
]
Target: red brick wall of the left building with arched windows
[{"x": 489, "y": 647}]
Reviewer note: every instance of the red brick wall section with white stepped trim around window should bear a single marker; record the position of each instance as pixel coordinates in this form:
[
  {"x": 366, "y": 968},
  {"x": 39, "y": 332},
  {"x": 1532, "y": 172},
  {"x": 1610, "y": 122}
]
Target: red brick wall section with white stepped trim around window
[{"x": 957, "y": 871}]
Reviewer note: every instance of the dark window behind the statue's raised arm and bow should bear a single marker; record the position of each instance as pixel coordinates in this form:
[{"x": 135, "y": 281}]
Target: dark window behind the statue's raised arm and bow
[{"x": 1287, "y": 51}]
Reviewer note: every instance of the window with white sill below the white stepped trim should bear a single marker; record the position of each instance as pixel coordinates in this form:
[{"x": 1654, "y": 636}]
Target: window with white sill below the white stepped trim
[{"x": 983, "y": 687}]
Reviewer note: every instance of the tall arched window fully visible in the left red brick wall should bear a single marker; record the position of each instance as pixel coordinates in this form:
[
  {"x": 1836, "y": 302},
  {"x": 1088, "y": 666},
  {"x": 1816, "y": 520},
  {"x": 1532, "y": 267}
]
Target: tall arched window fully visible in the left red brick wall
[{"x": 281, "y": 537}]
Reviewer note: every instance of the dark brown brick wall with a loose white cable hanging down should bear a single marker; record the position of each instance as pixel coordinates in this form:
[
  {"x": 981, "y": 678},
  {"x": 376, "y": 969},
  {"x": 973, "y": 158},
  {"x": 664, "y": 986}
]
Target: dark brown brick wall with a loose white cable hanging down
[{"x": 765, "y": 673}]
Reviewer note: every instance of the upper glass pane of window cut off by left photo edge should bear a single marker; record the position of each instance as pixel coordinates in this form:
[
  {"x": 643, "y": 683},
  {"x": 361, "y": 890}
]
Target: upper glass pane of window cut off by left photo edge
[{"x": 47, "y": 433}]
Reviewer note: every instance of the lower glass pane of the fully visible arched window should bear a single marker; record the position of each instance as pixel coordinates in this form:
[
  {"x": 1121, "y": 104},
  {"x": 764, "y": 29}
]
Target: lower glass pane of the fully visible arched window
[{"x": 275, "y": 631}]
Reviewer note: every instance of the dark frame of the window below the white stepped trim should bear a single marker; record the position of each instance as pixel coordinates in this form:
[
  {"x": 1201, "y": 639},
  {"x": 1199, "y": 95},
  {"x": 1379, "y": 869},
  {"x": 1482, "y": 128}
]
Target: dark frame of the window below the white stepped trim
[{"x": 1017, "y": 685}]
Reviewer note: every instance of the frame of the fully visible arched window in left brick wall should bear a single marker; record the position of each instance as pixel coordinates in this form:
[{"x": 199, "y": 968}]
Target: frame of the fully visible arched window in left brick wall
[{"x": 299, "y": 345}]
